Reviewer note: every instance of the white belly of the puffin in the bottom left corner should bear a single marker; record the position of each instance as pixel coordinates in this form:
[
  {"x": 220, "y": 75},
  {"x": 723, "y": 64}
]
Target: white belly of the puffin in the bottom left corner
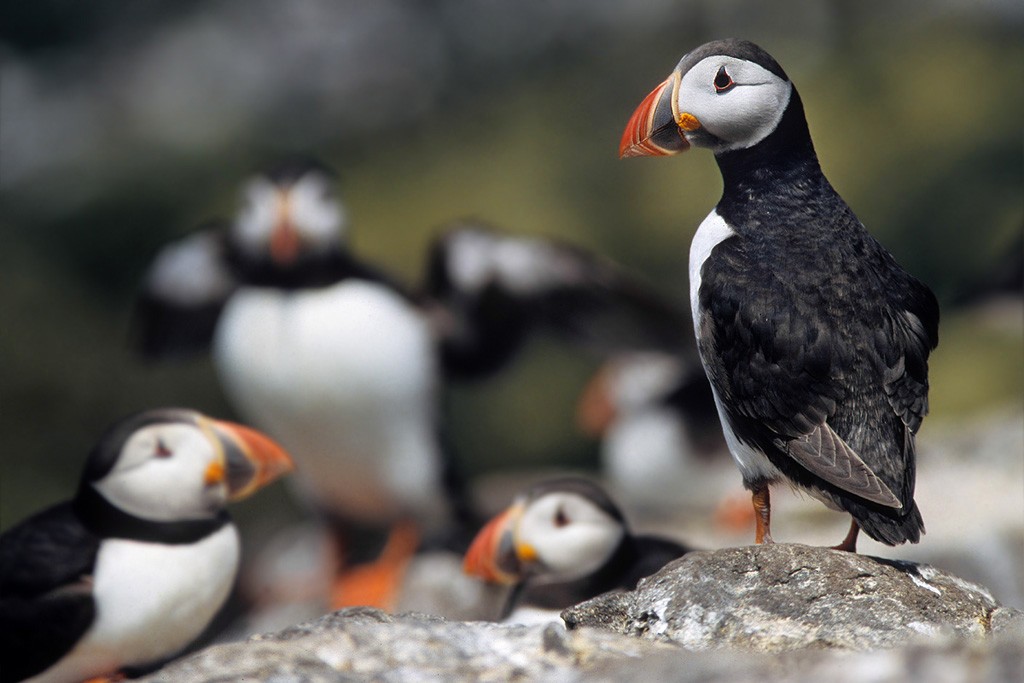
[{"x": 152, "y": 602}]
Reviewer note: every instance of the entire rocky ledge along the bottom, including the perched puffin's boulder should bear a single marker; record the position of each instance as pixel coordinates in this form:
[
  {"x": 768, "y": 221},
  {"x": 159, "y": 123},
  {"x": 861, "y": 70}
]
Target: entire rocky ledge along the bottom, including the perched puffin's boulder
[{"x": 783, "y": 613}]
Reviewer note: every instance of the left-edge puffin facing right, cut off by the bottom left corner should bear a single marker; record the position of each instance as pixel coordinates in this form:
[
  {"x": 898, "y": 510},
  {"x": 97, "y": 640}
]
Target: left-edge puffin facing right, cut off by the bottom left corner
[{"x": 135, "y": 568}]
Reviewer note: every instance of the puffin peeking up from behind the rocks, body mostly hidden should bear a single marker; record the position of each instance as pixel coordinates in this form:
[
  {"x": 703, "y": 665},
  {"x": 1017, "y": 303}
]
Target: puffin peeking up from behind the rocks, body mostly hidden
[{"x": 562, "y": 542}]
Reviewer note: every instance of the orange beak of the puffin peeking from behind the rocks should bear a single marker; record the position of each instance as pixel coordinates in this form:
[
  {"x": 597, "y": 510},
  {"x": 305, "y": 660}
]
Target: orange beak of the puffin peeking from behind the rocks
[{"x": 495, "y": 557}]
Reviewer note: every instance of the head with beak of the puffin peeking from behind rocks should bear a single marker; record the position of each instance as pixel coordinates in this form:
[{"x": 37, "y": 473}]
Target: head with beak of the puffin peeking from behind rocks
[{"x": 560, "y": 531}]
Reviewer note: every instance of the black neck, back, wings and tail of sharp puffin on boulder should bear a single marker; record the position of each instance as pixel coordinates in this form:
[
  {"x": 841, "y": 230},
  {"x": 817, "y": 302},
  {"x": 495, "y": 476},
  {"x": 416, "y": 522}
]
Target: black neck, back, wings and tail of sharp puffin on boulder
[{"x": 806, "y": 334}]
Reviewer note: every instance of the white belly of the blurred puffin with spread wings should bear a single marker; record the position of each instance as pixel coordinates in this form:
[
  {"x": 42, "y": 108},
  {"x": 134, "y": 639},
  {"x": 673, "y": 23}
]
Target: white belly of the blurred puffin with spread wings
[{"x": 346, "y": 378}]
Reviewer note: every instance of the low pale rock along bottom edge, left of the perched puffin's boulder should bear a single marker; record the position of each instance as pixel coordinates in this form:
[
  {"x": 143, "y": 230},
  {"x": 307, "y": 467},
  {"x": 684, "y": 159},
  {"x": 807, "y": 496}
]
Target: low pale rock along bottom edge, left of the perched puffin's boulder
[{"x": 364, "y": 644}]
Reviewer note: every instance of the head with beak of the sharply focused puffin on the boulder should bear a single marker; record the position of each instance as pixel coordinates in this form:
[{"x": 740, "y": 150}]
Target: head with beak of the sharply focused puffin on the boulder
[{"x": 726, "y": 96}]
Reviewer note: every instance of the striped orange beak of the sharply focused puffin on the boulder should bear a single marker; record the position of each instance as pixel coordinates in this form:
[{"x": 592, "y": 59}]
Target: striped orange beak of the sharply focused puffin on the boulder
[{"x": 656, "y": 130}]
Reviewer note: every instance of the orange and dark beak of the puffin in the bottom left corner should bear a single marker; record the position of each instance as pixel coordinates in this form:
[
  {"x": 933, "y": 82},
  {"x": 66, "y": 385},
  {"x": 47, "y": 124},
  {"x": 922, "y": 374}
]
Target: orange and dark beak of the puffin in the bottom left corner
[{"x": 251, "y": 461}]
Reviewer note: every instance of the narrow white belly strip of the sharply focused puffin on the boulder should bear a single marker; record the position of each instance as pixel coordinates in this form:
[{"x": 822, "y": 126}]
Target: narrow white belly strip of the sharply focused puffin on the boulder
[{"x": 713, "y": 231}]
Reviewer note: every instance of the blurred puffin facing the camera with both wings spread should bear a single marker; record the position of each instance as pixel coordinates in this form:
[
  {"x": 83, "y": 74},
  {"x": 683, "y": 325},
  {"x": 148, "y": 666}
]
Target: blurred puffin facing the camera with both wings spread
[{"x": 344, "y": 365}]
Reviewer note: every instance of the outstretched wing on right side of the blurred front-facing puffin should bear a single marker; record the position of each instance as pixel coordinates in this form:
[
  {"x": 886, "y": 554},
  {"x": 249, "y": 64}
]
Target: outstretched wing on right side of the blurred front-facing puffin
[{"x": 492, "y": 290}]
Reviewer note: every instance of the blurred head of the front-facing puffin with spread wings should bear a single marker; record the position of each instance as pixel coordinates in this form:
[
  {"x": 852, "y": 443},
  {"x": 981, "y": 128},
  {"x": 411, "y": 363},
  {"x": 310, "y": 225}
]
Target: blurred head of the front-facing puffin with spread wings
[{"x": 289, "y": 215}]
